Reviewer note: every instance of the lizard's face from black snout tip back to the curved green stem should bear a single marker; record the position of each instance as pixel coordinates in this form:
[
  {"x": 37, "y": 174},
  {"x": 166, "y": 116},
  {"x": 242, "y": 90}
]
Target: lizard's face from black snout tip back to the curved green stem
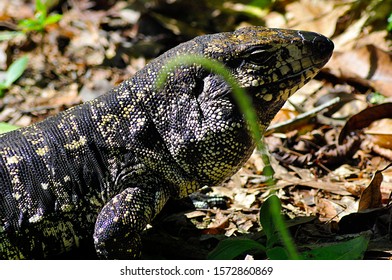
[{"x": 271, "y": 64}]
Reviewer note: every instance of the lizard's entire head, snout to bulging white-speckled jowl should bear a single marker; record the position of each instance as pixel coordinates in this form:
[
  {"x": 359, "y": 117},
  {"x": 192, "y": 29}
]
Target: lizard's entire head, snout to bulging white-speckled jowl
[{"x": 195, "y": 114}]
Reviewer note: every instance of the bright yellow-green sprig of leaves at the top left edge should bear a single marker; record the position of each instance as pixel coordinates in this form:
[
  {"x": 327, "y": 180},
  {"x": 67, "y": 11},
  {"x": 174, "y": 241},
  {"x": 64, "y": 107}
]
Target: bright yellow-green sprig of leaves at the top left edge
[{"x": 40, "y": 20}]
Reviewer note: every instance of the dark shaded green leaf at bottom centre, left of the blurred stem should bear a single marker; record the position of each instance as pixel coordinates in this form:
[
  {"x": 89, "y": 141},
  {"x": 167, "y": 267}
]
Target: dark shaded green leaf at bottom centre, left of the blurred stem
[{"x": 231, "y": 248}]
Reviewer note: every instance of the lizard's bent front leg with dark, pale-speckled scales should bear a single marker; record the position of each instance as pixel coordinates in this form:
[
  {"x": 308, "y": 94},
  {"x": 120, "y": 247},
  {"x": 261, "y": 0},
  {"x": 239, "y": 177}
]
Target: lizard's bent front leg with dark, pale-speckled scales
[{"x": 123, "y": 218}]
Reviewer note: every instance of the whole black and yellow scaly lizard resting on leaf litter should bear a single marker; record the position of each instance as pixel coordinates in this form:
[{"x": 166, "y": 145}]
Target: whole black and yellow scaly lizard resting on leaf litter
[{"x": 101, "y": 171}]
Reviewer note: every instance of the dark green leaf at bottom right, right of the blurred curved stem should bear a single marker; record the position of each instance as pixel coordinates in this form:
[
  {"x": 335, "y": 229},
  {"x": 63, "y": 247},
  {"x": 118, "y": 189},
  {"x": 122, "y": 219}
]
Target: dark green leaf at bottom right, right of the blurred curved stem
[{"x": 353, "y": 249}]
